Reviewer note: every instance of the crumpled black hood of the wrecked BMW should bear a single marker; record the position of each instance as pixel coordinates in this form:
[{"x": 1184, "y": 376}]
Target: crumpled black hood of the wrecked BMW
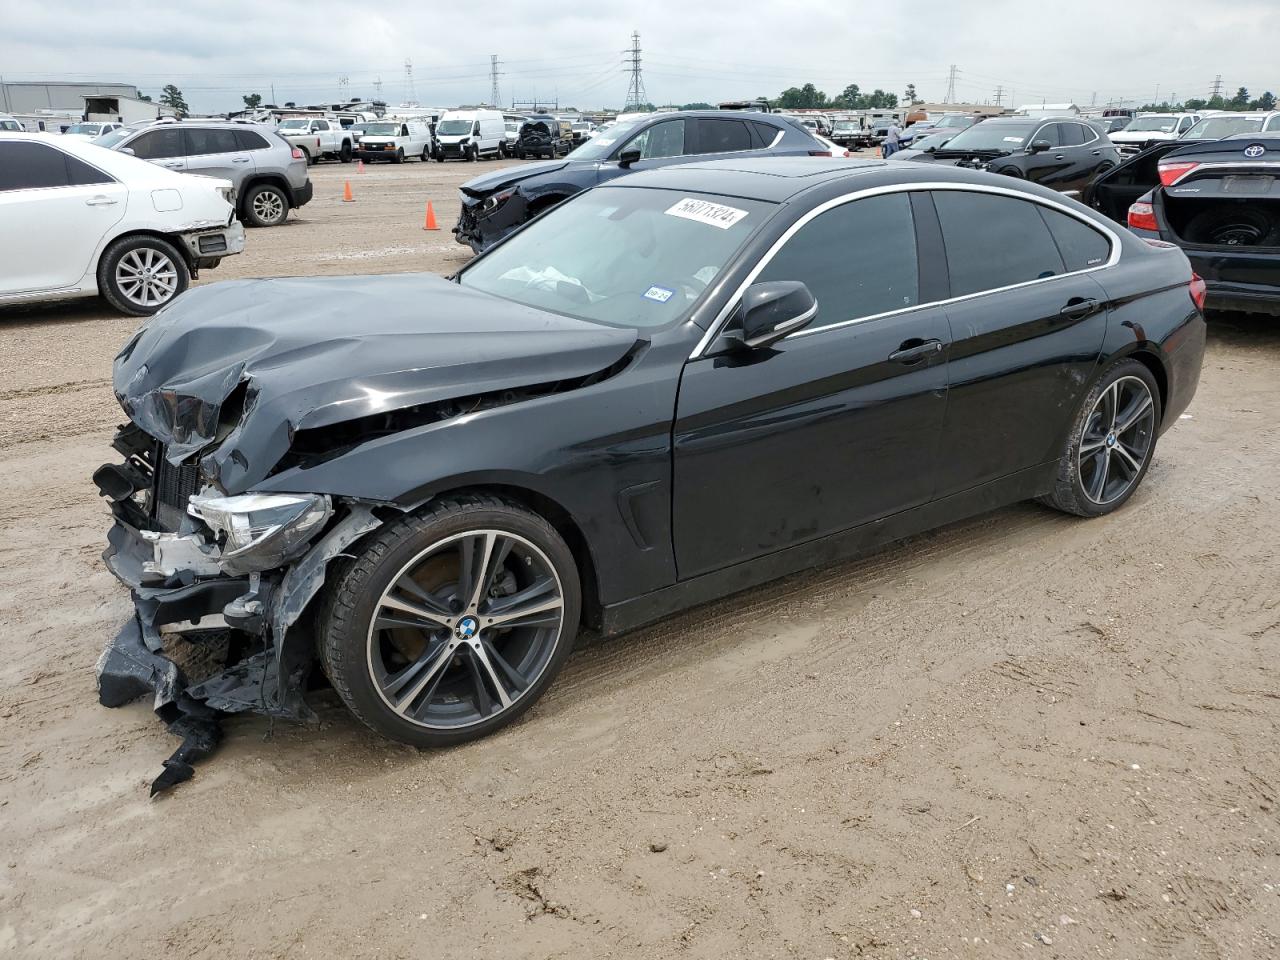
[{"x": 319, "y": 351}]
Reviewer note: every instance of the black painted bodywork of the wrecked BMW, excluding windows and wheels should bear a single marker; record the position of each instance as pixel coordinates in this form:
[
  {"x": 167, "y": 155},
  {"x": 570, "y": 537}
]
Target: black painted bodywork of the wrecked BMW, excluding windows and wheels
[{"x": 678, "y": 468}]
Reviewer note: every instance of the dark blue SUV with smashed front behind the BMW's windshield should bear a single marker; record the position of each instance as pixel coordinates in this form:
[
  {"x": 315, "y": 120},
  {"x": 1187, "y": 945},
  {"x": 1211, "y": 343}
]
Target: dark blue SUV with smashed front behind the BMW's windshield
[{"x": 496, "y": 204}]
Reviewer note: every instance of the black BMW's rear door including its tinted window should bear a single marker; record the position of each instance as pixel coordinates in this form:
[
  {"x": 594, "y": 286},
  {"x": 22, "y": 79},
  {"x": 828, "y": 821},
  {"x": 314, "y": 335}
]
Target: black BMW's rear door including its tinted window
[{"x": 1027, "y": 327}]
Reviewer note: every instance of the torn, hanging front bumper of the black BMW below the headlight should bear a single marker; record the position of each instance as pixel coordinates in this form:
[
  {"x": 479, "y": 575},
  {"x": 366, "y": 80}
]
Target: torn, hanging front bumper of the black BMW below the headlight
[{"x": 254, "y": 656}]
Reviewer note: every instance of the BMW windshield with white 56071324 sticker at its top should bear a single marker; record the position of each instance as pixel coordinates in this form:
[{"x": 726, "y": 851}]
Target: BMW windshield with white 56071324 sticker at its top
[{"x": 621, "y": 258}]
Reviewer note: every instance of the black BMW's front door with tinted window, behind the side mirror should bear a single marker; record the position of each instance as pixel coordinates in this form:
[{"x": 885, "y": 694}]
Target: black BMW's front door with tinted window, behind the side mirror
[{"x": 834, "y": 427}]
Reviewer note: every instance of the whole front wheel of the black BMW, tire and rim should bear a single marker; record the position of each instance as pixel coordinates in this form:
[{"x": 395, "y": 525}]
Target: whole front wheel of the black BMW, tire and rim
[{"x": 452, "y": 621}]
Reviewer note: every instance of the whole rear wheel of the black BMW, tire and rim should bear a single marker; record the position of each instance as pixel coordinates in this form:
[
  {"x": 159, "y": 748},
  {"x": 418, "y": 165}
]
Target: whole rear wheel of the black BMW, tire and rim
[{"x": 1112, "y": 445}]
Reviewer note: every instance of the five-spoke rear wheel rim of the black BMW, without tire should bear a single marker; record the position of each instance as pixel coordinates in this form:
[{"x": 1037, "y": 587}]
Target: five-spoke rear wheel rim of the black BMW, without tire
[{"x": 1117, "y": 441}]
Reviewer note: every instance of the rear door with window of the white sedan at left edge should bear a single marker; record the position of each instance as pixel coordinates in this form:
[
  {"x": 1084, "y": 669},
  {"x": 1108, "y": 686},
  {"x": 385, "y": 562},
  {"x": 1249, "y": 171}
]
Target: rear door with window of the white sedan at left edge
[{"x": 54, "y": 212}]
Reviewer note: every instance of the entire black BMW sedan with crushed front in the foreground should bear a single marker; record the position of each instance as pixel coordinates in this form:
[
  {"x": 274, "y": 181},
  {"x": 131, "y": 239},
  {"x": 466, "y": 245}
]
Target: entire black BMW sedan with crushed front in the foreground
[{"x": 671, "y": 388}]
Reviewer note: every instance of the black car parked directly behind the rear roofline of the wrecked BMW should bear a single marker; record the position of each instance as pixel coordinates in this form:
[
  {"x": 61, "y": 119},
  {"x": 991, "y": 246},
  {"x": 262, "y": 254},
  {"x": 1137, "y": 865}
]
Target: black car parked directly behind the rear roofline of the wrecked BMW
[{"x": 1062, "y": 153}]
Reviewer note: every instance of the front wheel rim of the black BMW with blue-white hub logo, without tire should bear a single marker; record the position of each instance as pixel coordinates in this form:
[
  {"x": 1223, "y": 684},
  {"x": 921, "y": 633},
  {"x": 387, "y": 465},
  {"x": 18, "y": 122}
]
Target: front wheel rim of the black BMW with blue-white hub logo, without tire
[{"x": 465, "y": 629}]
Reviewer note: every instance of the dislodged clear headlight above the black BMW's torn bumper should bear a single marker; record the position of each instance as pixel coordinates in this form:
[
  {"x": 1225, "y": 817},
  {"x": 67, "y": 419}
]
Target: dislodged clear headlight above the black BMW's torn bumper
[{"x": 262, "y": 531}]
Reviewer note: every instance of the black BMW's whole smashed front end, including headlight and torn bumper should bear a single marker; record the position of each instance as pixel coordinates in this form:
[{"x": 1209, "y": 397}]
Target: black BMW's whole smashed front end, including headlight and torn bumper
[{"x": 220, "y": 586}]
